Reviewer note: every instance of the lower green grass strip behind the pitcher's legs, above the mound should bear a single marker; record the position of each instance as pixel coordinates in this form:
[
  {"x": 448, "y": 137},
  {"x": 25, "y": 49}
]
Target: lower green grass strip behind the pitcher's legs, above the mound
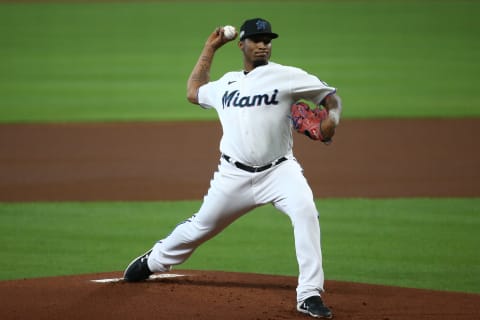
[{"x": 424, "y": 243}]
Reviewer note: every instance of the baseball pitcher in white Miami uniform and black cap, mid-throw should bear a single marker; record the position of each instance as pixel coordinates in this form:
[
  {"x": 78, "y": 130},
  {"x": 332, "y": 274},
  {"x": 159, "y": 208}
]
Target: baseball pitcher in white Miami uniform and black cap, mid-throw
[{"x": 258, "y": 108}]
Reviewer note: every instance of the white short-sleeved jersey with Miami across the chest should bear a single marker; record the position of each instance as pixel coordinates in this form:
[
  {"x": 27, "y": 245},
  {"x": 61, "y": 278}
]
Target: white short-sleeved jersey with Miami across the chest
[{"x": 254, "y": 109}]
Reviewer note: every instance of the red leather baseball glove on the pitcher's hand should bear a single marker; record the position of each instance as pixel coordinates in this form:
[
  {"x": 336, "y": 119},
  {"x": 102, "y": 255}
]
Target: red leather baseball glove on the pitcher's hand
[{"x": 308, "y": 121}]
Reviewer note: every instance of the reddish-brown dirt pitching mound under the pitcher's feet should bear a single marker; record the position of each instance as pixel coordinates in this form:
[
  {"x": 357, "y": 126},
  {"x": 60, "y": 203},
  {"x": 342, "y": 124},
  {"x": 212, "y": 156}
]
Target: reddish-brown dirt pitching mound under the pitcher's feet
[{"x": 219, "y": 295}]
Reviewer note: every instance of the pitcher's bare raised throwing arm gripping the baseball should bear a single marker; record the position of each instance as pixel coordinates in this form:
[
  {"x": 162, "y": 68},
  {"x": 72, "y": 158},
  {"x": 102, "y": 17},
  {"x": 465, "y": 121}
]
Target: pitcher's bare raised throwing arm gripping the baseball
[{"x": 201, "y": 72}]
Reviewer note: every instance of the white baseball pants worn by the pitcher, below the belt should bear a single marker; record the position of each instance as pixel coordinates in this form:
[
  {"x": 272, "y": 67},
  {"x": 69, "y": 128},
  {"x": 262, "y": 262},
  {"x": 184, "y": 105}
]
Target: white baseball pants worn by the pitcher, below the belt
[{"x": 234, "y": 192}]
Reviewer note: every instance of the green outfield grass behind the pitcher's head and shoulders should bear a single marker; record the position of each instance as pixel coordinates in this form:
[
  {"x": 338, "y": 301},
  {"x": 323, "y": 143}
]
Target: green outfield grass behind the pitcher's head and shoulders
[{"x": 130, "y": 61}]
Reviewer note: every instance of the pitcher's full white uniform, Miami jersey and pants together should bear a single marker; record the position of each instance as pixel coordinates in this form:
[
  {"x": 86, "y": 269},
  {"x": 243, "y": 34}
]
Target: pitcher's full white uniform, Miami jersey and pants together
[{"x": 254, "y": 110}]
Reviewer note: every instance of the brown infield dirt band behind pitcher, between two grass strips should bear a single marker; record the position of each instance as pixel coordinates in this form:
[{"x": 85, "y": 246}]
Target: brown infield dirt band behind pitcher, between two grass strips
[{"x": 175, "y": 161}]
